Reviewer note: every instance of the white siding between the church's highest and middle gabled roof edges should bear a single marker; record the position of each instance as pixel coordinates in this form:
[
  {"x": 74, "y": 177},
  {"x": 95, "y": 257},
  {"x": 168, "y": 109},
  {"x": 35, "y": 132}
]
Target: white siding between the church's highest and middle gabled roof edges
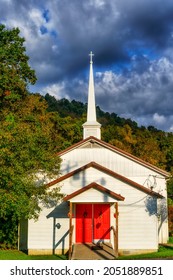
[{"x": 115, "y": 162}]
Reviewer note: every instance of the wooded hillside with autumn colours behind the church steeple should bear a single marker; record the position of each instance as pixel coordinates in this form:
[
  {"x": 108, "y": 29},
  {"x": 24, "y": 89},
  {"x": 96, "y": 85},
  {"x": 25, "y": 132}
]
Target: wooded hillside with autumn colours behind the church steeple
[{"x": 148, "y": 143}]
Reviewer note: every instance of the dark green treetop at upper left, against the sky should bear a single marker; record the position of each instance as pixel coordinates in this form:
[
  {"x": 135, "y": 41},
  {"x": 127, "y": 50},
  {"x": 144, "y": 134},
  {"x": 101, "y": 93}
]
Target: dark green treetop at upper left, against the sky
[{"x": 15, "y": 72}]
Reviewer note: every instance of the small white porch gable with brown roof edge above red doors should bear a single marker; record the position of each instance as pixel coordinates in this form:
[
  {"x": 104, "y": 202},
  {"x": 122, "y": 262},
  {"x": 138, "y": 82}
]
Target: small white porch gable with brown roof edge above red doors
[{"x": 93, "y": 193}]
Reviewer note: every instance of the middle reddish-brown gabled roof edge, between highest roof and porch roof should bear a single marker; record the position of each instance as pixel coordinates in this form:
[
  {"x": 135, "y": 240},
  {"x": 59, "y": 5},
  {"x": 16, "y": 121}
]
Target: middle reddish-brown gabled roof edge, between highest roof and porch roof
[{"x": 109, "y": 172}]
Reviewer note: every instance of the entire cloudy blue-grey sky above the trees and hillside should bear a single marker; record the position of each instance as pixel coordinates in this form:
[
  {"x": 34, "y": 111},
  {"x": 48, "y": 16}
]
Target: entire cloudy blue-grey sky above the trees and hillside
[{"x": 133, "y": 45}]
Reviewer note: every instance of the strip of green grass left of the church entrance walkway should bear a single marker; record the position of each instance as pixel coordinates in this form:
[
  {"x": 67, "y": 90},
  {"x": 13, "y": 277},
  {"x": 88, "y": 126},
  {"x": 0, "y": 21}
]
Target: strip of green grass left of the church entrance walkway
[{"x": 18, "y": 255}]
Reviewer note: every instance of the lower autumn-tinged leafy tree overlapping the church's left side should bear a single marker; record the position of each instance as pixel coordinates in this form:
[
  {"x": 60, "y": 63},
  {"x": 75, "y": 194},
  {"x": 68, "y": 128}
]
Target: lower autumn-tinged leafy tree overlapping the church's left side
[{"x": 27, "y": 154}]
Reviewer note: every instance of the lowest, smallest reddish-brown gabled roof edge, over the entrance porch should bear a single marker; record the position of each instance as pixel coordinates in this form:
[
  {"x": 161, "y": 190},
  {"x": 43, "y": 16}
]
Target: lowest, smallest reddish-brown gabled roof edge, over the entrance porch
[{"x": 94, "y": 186}]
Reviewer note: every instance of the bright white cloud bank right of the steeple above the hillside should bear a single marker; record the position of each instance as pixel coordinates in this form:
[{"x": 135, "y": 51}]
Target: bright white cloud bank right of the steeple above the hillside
[{"x": 142, "y": 96}]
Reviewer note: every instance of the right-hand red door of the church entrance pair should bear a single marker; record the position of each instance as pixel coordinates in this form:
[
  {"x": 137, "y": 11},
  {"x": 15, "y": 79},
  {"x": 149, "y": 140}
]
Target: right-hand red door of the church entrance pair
[{"x": 101, "y": 221}]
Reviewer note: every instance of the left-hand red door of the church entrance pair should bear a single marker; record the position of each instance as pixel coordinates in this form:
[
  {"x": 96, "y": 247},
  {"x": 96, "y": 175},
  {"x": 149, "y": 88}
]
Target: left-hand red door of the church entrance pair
[{"x": 83, "y": 223}]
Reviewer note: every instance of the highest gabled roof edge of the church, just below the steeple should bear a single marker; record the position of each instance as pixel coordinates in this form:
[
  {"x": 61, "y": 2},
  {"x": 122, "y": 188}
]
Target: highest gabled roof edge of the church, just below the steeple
[{"x": 93, "y": 140}]
